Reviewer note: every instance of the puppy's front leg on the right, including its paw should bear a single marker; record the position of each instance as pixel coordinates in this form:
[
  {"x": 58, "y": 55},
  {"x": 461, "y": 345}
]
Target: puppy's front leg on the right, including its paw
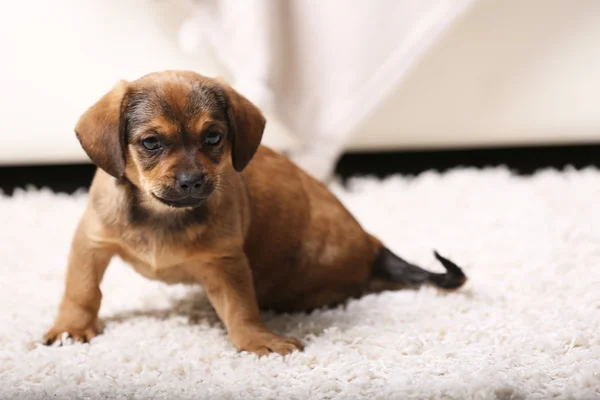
[{"x": 230, "y": 289}]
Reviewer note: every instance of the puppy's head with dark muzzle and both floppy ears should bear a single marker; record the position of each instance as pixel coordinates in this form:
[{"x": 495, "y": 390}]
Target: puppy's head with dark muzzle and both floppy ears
[{"x": 174, "y": 135}]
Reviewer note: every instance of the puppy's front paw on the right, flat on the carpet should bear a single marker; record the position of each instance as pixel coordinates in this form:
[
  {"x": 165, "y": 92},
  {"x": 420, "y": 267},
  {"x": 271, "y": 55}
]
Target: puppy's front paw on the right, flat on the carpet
[{"x": 263, "y": 343}]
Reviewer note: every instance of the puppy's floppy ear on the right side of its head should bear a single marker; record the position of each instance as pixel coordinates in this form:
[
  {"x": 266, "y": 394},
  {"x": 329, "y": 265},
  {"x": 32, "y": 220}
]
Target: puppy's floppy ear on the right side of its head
[{"x": 246, "y": 126}]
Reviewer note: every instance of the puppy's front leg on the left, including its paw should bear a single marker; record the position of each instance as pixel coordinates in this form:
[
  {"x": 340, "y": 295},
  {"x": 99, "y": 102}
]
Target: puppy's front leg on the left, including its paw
[{"x": 78, "y": 311}]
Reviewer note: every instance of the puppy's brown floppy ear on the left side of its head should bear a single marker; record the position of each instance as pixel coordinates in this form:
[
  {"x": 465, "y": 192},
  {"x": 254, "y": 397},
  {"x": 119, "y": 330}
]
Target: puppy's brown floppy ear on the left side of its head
[{"x": 101, "y": 130}]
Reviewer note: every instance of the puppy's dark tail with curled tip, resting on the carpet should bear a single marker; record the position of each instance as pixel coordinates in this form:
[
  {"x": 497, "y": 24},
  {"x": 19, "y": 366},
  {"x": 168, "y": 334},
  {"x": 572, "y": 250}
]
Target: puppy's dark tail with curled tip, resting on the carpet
[{"x": 390, "y": 267}]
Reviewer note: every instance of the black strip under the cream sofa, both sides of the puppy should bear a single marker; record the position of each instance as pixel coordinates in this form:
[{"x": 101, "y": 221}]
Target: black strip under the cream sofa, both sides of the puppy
[{"x": 522, "y": 160}]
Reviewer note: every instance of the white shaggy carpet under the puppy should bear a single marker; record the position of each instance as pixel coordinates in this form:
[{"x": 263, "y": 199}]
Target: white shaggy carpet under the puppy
[{"x": 526, "y": 326}]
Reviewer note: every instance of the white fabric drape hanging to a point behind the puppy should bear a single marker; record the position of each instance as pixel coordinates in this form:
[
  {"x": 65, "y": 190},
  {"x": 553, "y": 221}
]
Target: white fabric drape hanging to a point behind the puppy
[{"x": 320, "y": 66}]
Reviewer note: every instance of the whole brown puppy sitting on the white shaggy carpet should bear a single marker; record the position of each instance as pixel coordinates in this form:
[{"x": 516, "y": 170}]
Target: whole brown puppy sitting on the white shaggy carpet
[{"x": 185, "y": 193}]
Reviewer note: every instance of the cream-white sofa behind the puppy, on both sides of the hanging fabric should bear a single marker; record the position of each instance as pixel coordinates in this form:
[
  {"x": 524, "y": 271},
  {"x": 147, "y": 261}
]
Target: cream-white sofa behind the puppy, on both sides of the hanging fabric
[{"x": 509, "y": 73}]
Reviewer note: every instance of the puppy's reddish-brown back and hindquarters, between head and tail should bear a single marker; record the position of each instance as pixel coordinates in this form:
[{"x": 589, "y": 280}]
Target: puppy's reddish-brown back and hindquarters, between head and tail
[{"x": 301, "y": 237}]
